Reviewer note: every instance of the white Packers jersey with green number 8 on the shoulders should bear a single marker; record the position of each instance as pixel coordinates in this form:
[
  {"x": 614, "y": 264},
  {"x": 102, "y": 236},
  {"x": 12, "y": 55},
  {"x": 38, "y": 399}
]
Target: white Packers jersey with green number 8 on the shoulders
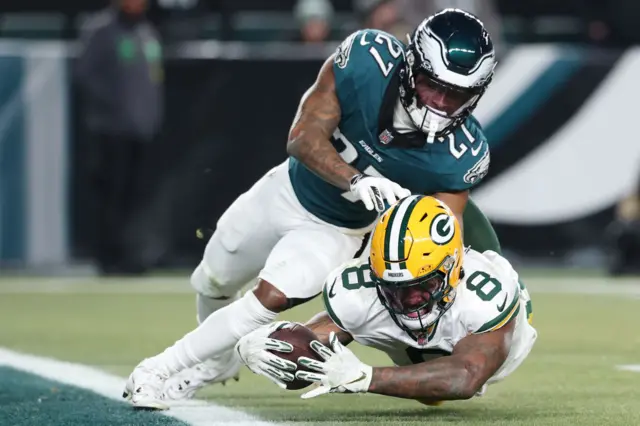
[{"x": 487, "y": 297}]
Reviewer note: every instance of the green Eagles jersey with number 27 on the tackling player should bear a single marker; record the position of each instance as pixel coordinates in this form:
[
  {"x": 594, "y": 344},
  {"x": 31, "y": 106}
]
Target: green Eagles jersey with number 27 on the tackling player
[{"x": 367, "y": 85}]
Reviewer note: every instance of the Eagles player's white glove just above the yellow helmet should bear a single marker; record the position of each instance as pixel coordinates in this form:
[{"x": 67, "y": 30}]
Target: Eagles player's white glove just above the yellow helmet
[{"x": 374, "y": 190}]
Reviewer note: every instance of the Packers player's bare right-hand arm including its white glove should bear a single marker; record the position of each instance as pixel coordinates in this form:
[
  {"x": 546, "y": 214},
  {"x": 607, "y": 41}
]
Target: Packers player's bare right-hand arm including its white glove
[{"x": 459, "y": 376}]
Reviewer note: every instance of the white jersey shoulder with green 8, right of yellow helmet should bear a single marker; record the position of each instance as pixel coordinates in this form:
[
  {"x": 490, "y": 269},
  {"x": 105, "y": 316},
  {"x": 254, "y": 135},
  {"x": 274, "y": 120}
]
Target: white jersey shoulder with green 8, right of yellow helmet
[{"x": 491, "y": 296}]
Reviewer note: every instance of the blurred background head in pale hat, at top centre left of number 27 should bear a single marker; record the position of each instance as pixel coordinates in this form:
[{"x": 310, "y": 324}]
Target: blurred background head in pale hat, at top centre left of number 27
[{"x": 314, "y": 17}]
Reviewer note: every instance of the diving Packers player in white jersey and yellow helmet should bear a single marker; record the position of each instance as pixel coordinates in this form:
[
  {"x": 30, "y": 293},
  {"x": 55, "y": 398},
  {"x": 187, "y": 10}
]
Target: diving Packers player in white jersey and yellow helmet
[{"x": 452, "y": 320}]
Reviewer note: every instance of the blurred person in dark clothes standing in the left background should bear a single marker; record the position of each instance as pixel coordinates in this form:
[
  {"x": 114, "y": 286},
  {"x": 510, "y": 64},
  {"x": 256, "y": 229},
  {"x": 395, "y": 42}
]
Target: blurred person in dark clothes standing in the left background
[{"x": 119, "y": 74}]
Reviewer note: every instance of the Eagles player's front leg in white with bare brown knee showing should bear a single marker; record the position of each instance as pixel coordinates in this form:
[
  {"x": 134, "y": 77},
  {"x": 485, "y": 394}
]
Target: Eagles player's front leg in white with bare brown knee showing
[{"x": 294, "y": 273}]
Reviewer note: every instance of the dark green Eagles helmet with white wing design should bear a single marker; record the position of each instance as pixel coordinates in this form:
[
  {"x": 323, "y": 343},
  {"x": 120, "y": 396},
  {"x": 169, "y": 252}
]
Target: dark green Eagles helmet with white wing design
[{"x": 449, "y": 64}]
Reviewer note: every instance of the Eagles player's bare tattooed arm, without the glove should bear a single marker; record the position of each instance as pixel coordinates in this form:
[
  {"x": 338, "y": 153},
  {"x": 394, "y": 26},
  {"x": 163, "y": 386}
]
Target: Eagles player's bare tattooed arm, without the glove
[{"x": 317, "y": 118}]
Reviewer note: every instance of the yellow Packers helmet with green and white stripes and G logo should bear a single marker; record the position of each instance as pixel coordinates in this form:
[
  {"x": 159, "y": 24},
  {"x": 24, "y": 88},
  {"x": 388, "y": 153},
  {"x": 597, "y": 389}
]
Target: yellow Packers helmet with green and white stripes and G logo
[{"x": 416, "y": 261}]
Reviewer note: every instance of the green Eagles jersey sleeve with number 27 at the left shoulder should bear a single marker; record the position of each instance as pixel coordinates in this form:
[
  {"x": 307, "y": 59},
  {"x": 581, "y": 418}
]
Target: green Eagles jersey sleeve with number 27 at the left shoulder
[{"x": 362, "y": 64}]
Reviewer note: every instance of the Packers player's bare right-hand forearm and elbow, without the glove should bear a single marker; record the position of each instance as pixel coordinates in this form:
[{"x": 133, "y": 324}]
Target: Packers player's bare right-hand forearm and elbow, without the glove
[{"x": 459, "y": 376}]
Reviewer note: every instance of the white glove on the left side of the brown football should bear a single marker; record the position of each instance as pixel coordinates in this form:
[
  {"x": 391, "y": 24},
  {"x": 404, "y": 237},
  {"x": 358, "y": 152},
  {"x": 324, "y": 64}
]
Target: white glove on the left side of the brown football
[{"x": 253, "y": 351}]
